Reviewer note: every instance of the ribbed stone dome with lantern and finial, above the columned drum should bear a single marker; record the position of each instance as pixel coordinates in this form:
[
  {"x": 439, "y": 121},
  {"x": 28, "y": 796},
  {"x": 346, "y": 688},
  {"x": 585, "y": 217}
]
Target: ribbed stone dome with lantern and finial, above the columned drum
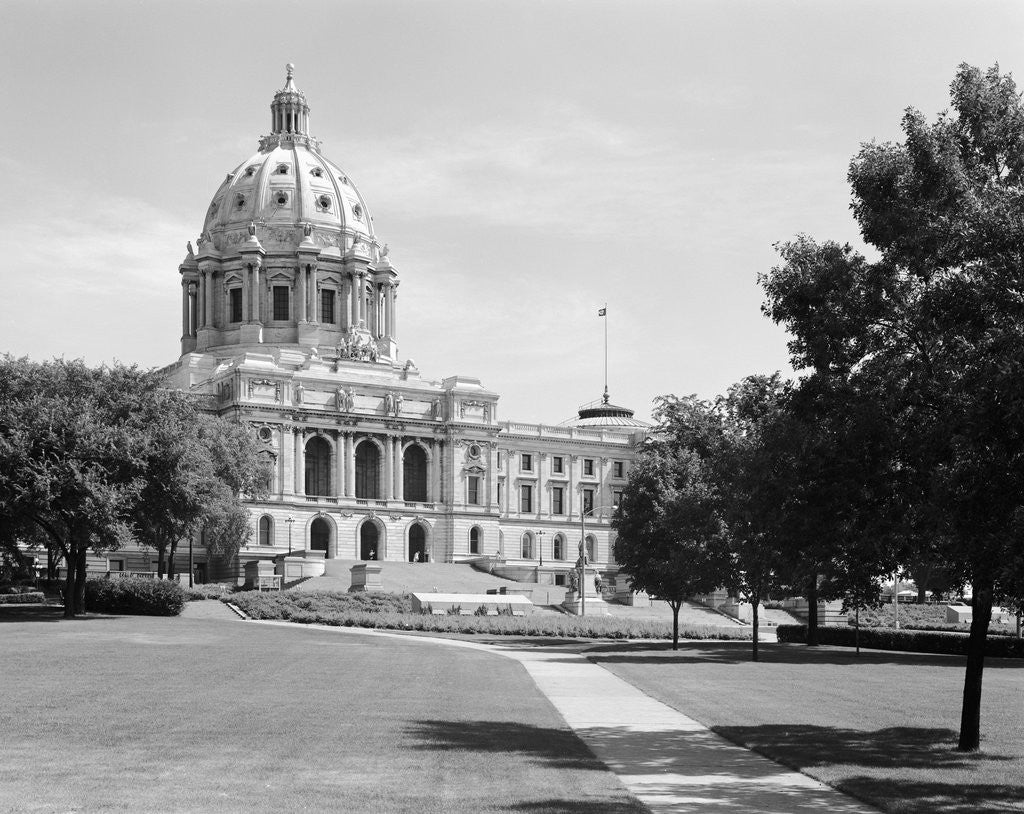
[{"x": 288, "y": 183}]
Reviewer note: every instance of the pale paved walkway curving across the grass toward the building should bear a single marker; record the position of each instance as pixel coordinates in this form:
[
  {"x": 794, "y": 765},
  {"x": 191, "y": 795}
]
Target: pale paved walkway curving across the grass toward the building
[{"x": 669, "y": 761}]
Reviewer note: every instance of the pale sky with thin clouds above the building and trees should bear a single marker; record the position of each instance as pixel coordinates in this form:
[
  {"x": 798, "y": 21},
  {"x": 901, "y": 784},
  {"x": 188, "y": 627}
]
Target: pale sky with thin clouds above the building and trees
[{"x": 526, "y": 161}]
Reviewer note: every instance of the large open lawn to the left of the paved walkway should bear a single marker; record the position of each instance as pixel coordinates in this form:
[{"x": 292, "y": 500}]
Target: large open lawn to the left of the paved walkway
[{"x": 158, "y": 714}]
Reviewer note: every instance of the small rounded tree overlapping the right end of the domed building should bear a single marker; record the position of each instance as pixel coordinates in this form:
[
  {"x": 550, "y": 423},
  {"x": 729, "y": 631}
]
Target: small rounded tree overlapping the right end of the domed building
[{"x": 671, "y": 539}]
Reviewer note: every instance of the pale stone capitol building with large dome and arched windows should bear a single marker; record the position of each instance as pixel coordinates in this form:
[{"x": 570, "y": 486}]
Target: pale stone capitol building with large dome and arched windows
[{"x": 290, "y": 323}]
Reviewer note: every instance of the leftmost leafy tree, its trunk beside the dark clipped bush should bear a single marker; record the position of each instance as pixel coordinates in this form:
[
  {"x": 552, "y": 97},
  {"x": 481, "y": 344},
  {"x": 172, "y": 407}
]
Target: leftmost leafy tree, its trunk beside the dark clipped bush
[{"x": 70, "y": 453}]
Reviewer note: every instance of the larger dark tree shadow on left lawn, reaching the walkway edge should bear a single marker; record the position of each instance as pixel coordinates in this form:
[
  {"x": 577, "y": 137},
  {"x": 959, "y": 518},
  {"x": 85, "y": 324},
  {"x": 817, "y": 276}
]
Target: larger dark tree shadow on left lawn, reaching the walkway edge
[{"x": 560, "y": 749}]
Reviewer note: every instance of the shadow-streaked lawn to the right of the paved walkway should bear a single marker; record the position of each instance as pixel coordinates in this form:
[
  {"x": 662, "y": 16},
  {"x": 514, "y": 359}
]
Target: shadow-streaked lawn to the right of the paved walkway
[{"x": 881, "y": 726}]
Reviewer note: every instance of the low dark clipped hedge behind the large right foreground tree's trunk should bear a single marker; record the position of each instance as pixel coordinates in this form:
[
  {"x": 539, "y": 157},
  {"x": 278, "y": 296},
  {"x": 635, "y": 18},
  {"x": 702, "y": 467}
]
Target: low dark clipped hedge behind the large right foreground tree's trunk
[{"x": 910, "y": 641}]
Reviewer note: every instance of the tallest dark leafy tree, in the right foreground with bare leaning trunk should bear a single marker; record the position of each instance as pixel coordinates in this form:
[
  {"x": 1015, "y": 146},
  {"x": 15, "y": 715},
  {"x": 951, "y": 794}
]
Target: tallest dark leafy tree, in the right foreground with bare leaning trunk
[{"x": 932, "y": 333}]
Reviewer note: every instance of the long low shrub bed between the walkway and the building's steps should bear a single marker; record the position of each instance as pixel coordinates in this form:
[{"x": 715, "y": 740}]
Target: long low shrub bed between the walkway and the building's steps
[{"x": 379, "y": 612}]
